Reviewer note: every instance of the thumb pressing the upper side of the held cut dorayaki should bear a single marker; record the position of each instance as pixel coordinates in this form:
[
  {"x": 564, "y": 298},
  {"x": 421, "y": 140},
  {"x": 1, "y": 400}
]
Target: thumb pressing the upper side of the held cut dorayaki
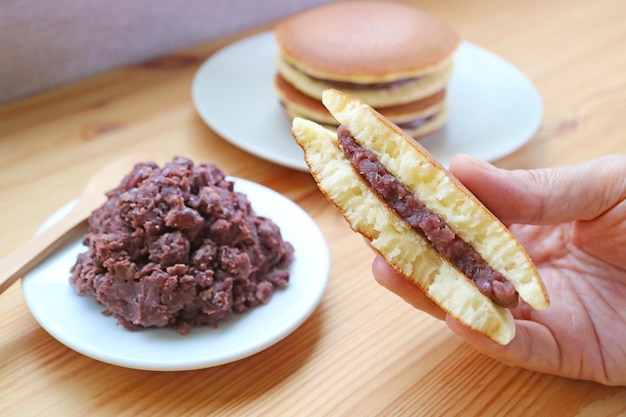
[{"x": 545, "y": 196}]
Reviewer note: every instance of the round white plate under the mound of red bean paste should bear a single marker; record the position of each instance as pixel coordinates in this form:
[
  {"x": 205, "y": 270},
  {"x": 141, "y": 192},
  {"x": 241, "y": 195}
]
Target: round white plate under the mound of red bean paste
[{"x": 78, "y": 322}]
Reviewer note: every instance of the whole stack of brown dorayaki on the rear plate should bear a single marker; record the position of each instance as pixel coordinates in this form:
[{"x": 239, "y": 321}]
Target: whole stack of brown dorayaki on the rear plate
[{"x": 396, "y": 58}]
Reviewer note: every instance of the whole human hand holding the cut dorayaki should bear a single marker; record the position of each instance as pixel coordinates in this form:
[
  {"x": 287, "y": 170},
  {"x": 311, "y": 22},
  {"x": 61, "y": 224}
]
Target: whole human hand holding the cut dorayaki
[{"x": 572, "y": 222}]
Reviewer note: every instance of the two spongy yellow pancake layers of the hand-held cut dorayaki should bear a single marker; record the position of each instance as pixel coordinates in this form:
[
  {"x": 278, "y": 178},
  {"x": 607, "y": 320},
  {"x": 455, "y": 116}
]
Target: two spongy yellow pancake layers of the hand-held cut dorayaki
[{"x": 406, "y": 249}]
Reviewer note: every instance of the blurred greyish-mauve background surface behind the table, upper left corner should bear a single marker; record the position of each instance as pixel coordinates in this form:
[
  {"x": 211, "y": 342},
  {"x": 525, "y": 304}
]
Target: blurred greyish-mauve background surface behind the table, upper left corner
[{"x": 47, "y": 43}]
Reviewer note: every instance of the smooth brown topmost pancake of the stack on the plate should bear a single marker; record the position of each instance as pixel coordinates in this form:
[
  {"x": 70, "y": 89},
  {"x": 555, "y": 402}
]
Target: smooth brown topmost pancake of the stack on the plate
[{"x": 366, "y": 42}]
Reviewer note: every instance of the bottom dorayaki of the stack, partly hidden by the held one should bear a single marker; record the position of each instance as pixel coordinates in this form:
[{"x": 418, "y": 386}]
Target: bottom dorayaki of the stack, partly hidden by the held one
[{"x": 416, "y": 118}]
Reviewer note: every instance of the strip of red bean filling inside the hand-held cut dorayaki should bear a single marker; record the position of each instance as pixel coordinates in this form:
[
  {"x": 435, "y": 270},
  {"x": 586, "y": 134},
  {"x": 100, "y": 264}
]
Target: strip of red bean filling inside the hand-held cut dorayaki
[{"x": 428, "y": 224}]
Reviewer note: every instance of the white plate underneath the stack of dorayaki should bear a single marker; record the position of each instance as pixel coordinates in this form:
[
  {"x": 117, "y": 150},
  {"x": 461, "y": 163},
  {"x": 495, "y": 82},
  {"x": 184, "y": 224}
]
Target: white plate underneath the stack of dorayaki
[{"x": 494, "y": 108}]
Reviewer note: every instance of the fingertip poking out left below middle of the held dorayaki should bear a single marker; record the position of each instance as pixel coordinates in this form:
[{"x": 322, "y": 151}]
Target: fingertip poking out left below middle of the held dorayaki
[{"x": 396, "y": 283}]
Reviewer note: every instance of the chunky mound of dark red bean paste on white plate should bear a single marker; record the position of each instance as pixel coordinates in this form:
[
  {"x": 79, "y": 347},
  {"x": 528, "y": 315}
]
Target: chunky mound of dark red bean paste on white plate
[{"x": 178, "y": 247}]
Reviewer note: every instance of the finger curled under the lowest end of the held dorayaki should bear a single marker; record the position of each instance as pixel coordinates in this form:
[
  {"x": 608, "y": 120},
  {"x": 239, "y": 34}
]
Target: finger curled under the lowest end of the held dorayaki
[{"x": 533, "y": 346}]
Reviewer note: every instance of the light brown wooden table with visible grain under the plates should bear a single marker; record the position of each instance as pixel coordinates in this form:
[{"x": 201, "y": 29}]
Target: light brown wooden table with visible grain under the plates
[{"x": 363, "y": 351}]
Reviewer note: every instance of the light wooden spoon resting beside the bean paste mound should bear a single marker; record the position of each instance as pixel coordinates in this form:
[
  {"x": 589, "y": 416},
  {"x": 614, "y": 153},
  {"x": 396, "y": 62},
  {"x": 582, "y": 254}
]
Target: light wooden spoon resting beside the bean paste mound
[{"x": 40, "y": 246}]
